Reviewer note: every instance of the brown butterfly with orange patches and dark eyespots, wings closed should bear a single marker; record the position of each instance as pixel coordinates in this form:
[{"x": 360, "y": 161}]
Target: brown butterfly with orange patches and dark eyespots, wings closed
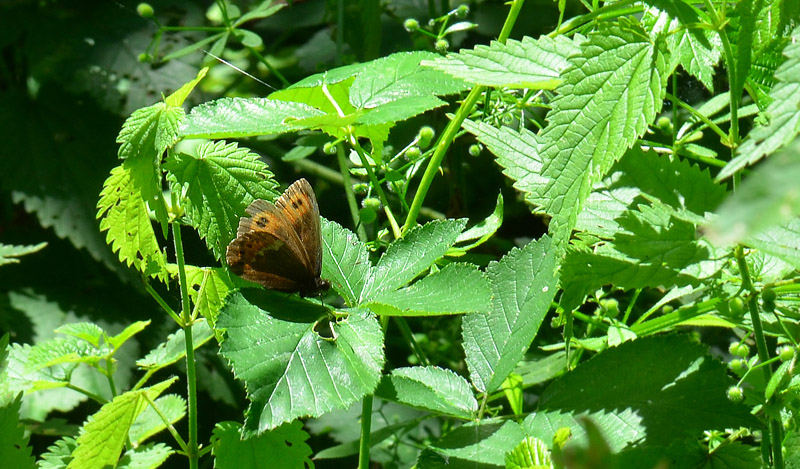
[{"x": 279, "y": 247}]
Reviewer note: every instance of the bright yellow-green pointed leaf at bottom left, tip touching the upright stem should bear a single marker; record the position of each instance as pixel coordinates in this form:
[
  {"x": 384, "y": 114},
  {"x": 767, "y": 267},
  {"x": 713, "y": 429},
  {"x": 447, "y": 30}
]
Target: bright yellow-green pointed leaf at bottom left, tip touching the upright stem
[{"x": 104, "y": 434}]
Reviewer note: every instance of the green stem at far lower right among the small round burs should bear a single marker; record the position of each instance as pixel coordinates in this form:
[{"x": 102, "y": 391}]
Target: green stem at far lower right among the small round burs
[{"x": 776, "y": 429}]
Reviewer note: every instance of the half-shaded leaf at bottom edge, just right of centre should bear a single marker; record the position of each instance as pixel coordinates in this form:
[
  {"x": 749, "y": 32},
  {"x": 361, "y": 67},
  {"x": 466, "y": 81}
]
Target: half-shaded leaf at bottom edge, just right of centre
[{"x": 485, "y": 442}]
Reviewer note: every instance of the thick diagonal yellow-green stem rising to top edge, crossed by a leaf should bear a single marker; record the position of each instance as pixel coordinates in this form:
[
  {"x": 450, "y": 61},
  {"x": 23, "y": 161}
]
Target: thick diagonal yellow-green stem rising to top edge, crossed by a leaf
[{"x": 452, "y": 129}]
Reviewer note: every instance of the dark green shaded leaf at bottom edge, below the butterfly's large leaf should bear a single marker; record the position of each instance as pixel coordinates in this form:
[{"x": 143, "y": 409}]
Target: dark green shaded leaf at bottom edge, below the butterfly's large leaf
[{"x": 283, "y": 447}]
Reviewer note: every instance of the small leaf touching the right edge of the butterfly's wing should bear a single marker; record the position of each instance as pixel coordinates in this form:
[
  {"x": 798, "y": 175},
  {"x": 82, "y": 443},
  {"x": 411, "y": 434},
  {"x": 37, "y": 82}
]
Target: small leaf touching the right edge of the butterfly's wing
[{"x": 345, "y": 262}]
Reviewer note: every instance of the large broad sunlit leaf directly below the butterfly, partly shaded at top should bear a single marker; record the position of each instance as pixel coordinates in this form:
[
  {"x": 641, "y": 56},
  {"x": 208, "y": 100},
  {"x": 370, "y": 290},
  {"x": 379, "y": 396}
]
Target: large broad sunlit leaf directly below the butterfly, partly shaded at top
[{"x": 291, "y": 371}]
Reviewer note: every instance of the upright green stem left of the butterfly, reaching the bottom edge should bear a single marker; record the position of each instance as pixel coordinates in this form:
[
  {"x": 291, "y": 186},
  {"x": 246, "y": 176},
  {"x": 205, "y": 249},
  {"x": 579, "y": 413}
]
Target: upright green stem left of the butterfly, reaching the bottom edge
[{"x": 191, "y": 376}]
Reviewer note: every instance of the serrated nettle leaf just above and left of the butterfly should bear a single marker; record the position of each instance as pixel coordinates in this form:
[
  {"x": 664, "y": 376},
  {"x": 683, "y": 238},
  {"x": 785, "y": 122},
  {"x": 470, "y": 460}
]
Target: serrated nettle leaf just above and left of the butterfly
[{"x": 220, "y": 181}]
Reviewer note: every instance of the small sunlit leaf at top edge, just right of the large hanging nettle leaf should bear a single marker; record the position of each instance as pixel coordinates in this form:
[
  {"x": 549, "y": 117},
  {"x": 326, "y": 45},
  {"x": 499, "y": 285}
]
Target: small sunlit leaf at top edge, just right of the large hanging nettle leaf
[{"x": 696, "y": 49}]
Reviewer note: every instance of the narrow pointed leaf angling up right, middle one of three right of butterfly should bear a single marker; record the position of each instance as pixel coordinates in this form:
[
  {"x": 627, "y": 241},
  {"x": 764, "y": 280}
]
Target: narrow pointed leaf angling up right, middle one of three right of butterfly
[{"x": 408, "y": 257}]
